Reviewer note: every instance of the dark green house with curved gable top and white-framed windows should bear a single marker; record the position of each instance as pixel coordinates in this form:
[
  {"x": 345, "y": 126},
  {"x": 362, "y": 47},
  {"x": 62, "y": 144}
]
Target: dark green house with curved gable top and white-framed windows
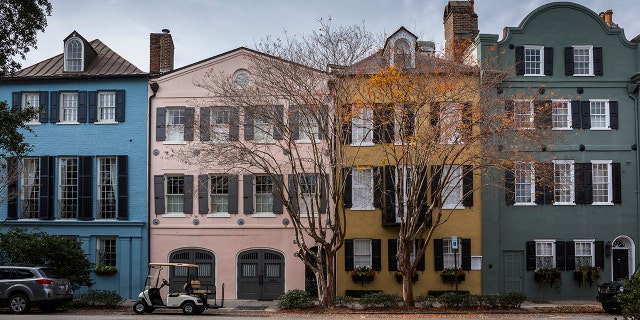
[{"x": 573, "y": 205}]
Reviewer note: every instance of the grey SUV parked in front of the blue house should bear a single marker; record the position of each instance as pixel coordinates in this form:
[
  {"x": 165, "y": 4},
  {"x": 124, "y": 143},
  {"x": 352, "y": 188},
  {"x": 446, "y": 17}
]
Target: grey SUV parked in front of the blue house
[{"x": 24, "y": 287}]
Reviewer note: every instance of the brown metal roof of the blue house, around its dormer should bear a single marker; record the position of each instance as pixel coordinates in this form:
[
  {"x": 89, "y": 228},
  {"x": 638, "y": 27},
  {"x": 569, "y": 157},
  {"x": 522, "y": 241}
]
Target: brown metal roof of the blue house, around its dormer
[{"x": 107, "y": 64}]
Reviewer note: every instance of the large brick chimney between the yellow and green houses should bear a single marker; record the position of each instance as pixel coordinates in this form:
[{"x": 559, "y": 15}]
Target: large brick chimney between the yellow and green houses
[{"x": 460, "y": 28}]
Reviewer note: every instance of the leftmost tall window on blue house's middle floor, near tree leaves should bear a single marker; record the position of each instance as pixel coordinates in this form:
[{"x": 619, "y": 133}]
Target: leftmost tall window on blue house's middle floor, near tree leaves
[{"x": 30, "y": 191}]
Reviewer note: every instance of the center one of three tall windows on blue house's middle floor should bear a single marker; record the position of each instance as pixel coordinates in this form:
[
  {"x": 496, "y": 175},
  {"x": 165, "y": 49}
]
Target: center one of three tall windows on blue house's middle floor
[{"x": 68, "y": 188}]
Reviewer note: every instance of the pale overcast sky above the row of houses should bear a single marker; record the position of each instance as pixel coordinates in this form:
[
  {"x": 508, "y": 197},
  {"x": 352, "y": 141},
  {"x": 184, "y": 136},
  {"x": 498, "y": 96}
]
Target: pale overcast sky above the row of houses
[{"x": 205, "y": 28}]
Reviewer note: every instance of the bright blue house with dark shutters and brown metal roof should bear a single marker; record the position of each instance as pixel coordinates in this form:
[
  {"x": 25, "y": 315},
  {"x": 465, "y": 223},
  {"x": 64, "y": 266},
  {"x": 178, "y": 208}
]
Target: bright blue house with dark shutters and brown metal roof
[{"x": 87, "y": 174}]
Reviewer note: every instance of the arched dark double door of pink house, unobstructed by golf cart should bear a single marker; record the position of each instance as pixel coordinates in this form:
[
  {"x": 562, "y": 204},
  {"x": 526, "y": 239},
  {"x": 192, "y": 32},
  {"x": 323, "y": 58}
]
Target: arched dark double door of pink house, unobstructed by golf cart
[{"x": 260, "y": 275}]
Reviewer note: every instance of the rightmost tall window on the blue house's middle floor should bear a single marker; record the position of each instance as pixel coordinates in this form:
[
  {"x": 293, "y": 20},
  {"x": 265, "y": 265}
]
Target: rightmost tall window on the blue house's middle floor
[{"x": 107, "y": 180}]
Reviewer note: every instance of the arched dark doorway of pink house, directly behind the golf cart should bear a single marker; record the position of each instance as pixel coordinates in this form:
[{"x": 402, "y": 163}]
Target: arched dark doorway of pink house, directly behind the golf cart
[{"x": 205, "y": 260}]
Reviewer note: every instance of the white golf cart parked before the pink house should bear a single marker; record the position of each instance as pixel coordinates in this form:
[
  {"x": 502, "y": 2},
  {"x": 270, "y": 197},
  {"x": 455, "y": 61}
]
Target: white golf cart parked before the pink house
[{"x": 194, "y": 297}]
